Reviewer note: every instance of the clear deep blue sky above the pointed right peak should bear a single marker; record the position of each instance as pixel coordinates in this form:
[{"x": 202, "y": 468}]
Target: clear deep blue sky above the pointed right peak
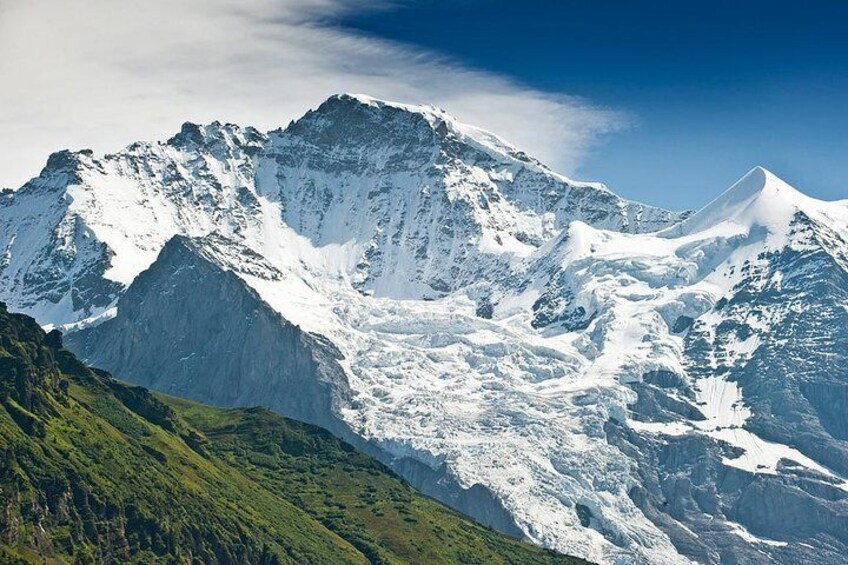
[{"x": 711, "y": 88}]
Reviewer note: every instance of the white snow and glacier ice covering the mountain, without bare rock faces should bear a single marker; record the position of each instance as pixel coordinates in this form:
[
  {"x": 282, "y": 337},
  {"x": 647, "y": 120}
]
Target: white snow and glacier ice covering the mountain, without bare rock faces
[{"x": 506, "y": 401}]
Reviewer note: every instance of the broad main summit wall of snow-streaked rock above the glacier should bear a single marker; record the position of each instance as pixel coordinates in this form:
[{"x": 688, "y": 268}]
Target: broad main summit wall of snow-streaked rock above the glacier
[{"x": 402, "y": 201}]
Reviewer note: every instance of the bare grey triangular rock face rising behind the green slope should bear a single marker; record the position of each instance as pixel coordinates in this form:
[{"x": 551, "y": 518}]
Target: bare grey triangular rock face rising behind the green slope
[{"x": 188, "y": 328}]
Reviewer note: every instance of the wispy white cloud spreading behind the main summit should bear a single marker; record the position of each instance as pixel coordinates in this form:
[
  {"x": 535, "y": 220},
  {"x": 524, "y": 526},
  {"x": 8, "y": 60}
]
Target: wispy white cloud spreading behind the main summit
[{"x": 103, "y": 73}]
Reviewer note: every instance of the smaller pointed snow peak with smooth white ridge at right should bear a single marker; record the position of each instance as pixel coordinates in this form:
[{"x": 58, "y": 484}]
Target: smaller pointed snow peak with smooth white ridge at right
[{"x": 760, "y": 215}]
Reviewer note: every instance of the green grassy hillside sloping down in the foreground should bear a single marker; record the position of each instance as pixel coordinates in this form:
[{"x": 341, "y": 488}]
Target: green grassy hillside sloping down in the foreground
[{"x": 92, "y": 470}]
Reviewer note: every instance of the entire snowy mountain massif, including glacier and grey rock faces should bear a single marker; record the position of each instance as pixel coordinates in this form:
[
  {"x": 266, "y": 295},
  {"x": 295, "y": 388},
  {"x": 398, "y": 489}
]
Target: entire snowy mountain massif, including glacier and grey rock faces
[{"x": 605, "y": 378}]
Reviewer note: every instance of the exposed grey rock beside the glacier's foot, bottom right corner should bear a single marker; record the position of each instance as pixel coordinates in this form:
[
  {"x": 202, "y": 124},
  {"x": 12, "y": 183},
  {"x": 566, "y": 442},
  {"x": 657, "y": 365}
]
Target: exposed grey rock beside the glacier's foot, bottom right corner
[{"x": 690, "y": 494}]
